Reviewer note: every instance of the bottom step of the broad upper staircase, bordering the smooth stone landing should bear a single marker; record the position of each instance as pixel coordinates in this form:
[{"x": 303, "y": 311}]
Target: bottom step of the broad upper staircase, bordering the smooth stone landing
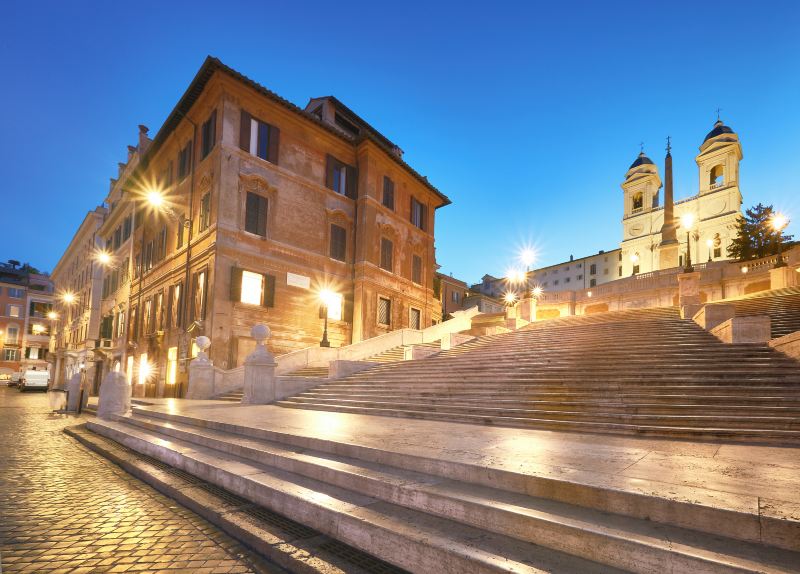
[{"x": 767, "y": 435}]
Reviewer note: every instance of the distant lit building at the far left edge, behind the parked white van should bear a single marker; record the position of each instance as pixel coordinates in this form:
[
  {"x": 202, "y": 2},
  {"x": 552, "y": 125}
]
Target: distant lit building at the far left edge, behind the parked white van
[{"x": 25, "y": 318}]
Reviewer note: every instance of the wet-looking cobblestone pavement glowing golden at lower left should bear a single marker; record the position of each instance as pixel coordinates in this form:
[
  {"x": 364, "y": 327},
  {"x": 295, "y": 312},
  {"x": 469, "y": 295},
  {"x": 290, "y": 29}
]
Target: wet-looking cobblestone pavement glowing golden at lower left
[{"x": 64, "y": 508}]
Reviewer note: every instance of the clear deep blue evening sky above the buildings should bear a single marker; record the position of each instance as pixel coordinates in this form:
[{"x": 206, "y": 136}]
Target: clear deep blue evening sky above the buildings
[{"x": 526, "y": 114}]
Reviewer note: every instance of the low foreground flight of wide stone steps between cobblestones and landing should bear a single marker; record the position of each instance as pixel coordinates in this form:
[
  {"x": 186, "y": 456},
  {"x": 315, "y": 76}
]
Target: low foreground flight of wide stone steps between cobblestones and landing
[{"x": 438, "y": 515}]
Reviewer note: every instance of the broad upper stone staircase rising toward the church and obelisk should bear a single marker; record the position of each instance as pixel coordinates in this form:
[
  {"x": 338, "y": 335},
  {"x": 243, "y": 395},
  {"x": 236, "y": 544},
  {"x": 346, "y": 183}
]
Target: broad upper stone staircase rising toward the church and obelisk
[{"x": 633, "y": 372}]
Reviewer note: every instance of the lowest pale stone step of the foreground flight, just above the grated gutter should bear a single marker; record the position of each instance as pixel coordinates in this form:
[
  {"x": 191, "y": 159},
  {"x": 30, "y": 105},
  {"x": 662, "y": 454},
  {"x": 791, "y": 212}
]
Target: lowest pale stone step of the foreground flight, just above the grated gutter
[{"x": 416, "y": 541}]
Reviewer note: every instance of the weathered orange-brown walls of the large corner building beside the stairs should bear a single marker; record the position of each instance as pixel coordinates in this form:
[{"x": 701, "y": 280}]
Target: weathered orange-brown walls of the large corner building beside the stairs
[{"x": 294, "y": 257}]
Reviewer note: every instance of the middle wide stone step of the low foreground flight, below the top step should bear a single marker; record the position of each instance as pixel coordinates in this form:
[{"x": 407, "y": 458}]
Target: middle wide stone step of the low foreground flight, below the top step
[{"x": 631, "y": 544}]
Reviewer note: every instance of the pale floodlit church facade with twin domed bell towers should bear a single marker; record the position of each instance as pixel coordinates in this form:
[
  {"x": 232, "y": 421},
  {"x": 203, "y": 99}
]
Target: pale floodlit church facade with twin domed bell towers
[{"x": 652, "y": 235}]
